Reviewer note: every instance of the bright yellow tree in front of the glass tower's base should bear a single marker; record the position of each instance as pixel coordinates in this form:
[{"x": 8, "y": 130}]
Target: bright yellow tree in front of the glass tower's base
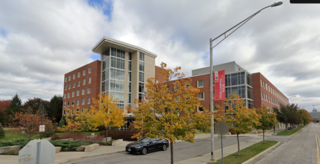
[{"x": 105, "y": 112}]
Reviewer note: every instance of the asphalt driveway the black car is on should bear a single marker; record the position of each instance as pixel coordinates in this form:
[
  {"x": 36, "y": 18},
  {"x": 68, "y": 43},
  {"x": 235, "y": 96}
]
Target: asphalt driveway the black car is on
[{"x": 182, "y": 151}]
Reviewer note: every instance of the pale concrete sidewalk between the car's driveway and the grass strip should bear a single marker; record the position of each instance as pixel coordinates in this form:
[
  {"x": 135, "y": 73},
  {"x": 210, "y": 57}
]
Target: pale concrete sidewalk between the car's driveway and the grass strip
[{"x": 217, "y": 154}]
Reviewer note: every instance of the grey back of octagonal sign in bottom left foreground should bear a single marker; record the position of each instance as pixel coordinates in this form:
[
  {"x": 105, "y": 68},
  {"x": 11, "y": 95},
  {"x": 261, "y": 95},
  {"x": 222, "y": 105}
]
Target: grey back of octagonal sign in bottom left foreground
[{"x": 37, "y": 152}]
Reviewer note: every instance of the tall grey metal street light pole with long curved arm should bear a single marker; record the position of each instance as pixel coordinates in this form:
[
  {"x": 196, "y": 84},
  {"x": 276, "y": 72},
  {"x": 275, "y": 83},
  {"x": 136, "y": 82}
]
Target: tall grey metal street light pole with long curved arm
[{"x": 231, "y": 30}]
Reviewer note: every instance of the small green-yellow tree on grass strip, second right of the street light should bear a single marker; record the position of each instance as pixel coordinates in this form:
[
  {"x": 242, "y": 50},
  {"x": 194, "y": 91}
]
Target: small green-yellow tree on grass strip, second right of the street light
[{"x": 267, "y": 119}]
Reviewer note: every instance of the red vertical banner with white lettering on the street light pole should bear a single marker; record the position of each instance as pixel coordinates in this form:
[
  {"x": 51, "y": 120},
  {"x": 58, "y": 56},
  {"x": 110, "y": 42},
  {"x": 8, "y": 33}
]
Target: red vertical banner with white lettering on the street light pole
[{"x": 219, "y": 85}]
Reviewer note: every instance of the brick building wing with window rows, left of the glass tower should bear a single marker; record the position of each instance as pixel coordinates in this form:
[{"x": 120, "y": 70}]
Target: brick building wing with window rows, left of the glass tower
[{"x": 81, "y": 85}]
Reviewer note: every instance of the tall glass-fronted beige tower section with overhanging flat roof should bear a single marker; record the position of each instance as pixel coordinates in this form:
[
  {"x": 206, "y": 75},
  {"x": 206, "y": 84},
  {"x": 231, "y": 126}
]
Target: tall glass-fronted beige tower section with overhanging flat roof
[{"x": 124, "y": 71}]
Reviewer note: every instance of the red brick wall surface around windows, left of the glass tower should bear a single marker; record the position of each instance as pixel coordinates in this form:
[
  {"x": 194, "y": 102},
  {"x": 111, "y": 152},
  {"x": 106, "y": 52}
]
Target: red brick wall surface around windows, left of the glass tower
[{"x": 94, "y": 85}]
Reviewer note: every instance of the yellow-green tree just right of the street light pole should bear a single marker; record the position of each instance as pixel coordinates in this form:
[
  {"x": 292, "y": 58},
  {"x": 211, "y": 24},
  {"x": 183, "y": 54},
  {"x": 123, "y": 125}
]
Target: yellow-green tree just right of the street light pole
[{"x": 239, "y": 118}]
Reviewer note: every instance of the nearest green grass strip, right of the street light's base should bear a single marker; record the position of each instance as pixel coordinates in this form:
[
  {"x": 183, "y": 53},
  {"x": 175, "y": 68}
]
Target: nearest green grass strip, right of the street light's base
[{"x": 246, "y": 153}]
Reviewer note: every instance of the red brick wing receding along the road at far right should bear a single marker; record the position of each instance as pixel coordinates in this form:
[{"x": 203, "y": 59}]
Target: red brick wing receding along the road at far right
[{"x": 265, "y": 93}]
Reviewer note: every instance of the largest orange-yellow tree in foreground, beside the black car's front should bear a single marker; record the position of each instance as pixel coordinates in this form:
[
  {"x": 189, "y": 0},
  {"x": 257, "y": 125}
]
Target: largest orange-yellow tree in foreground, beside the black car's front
[{"x": 170, "y": 110}]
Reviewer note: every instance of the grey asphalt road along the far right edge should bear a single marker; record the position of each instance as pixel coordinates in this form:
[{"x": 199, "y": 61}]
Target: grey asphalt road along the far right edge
[{"x": 301, "y": 148}]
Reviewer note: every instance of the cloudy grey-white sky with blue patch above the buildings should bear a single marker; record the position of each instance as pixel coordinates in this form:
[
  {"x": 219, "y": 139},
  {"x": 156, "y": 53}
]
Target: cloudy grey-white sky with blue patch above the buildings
[{"x": 42, "y": 40}]
